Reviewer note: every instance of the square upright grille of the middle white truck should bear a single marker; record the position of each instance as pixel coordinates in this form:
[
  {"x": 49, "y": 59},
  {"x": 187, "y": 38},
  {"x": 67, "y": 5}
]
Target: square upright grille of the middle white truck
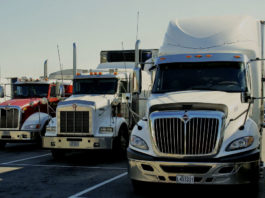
[{"x": 74, "y": 121}]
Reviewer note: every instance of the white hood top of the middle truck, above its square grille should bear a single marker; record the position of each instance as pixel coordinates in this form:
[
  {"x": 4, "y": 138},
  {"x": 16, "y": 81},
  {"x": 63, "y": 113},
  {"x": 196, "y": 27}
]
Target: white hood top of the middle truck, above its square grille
[{"x": 99, "y": 101}]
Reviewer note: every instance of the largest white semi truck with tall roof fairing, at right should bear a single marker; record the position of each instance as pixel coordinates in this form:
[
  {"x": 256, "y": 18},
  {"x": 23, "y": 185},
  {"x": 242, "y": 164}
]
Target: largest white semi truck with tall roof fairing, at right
[{"x": 204, "y": 116}]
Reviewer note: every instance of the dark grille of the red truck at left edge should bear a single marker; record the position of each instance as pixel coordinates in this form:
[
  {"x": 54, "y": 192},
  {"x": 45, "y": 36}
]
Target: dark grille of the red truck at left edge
[{"x": 9, "y": 118}]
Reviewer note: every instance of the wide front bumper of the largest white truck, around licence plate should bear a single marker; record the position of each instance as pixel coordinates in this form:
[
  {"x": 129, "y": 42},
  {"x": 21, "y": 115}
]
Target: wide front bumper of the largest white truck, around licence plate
[{"x": 225, "y": 172}]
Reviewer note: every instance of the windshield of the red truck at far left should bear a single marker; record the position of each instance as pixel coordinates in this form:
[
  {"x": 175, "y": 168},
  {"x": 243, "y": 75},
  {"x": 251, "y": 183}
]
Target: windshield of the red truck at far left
[{"x": 31, "y": 90}]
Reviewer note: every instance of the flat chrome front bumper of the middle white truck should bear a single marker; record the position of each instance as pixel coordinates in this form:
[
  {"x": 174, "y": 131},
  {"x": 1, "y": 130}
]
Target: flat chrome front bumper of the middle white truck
[{"x": 77, "y": 142}]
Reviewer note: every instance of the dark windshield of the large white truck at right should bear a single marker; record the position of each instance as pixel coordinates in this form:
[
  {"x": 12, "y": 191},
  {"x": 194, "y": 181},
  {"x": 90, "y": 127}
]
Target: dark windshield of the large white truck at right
[{"x": 219, "y": 76}]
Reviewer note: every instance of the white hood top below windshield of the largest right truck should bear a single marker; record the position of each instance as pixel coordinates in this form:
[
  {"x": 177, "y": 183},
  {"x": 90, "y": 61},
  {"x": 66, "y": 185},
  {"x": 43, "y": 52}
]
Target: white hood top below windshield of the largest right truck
[{"x": 231, "y": 102}]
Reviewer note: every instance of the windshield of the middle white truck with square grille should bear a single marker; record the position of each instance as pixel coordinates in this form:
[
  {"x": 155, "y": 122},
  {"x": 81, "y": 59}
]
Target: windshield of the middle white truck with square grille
[{"x": 95, "y": 86}]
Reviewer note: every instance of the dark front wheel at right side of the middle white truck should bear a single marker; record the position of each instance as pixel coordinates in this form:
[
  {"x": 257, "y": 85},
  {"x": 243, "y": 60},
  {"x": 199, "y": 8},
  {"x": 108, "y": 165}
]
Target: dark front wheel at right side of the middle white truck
[{"x": 120, "y": 143}]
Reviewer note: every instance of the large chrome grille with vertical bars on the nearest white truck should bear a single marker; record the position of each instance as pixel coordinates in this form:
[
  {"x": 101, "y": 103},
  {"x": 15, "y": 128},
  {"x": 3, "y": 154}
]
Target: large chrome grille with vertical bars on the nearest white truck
[{"x": 197, "y": 136}]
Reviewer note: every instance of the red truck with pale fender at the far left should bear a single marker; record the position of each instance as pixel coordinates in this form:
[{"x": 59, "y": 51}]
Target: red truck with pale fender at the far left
[{"x": 33, "y": 102}]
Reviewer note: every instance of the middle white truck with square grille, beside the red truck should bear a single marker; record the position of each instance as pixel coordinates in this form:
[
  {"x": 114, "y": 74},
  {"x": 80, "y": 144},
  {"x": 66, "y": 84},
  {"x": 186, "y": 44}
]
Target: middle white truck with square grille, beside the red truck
[{"x": 103, "y": 107}]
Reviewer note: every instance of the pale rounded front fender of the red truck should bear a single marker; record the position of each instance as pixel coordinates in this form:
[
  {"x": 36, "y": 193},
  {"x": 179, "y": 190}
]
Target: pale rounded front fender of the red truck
[{"x": 36, "y": 118}]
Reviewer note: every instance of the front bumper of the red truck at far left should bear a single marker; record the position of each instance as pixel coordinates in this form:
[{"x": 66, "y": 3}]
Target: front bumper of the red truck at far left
[{"x": 19, "y": 136}]
